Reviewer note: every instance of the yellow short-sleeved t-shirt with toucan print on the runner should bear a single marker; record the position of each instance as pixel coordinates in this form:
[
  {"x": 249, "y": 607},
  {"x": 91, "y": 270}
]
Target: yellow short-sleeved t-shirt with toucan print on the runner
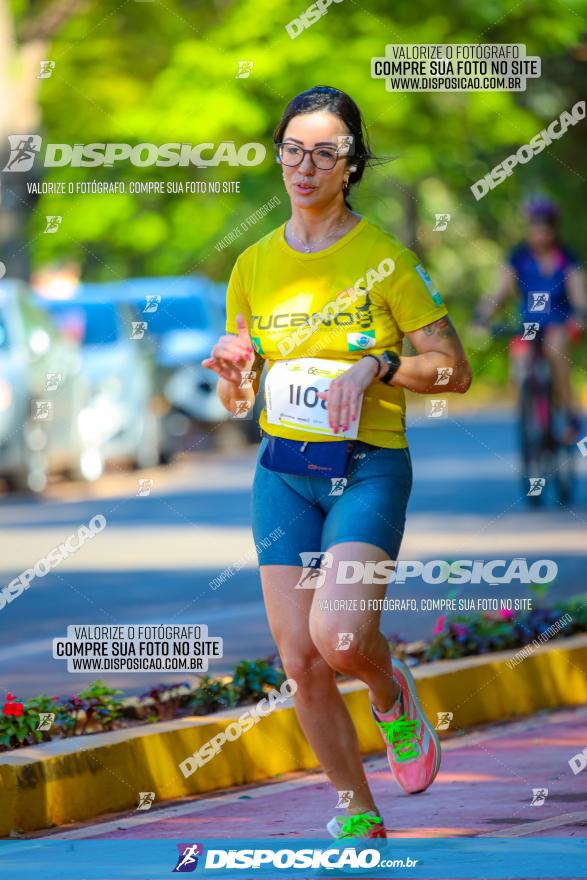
[{"x": 289, "y": 300}]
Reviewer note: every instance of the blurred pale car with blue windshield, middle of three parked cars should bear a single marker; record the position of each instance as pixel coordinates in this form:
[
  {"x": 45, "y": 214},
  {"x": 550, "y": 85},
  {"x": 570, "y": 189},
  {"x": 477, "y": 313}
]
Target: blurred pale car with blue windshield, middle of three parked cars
[{"x": 115, "y": 419}]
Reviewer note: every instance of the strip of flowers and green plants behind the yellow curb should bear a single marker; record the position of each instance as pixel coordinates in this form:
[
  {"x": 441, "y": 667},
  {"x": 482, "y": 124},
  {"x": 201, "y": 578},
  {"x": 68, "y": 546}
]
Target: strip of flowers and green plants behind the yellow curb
[{"x": 100, "y": 708}]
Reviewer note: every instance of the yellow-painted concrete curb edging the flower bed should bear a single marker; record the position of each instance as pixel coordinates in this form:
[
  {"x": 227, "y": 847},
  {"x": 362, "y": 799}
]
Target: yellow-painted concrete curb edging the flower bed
[{"x": 82, "y": 778}]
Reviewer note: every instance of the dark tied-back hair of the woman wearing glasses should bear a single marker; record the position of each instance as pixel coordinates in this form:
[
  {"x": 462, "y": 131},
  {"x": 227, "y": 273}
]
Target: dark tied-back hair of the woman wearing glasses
[{"x": 342, "y": 105}]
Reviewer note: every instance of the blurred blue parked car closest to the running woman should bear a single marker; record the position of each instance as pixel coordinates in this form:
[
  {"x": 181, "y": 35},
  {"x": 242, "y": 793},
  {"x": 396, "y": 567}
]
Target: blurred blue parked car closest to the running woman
[{"x": 184, "y": 319}]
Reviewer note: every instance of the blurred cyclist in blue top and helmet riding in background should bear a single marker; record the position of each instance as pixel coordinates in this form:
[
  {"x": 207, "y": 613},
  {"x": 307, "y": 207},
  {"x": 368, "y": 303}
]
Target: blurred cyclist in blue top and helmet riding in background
[{"x": 537, "y": 266}]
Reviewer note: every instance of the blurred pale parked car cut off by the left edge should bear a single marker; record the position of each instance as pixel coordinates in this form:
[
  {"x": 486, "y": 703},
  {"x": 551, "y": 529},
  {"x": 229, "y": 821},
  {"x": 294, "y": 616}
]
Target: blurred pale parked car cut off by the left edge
[{"x": 38, "y": 388}]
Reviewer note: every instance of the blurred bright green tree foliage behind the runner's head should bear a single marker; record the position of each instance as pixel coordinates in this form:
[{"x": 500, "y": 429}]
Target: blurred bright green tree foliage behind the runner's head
[{"x": 166, "y": 72}]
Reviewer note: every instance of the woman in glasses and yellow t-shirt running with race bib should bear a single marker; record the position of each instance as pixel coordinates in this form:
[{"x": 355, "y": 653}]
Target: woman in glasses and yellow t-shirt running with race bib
[{"x": 325, "y": 300}]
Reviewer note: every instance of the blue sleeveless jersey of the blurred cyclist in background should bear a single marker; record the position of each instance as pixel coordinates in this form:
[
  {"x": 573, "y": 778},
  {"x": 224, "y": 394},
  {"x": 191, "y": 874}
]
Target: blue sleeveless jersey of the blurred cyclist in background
[{"x": 543, "y": 298}]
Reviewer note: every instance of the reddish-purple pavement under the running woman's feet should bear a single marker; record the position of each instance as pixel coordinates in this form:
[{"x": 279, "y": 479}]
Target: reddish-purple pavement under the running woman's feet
[{"x": 483, "y": 789}]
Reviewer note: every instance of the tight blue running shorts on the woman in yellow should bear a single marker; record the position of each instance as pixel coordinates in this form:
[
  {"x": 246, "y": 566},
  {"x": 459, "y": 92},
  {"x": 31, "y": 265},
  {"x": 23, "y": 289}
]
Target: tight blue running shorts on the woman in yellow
[{"x": 293, "y": 515}]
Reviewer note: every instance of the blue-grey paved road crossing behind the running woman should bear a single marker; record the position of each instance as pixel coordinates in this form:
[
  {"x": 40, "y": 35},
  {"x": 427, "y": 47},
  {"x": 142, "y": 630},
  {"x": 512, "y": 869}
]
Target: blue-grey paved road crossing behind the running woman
[{"x": 155, "y": 560}]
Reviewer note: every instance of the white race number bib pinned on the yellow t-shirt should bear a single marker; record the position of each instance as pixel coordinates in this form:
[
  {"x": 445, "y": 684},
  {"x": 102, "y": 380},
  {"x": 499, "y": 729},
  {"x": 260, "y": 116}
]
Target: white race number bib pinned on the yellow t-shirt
[{"x": 291, "y": 395}]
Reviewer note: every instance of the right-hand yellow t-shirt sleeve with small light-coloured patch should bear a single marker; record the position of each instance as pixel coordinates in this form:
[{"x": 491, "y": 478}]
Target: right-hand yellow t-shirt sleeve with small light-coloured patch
[{"x": 414, "y": 299}]
